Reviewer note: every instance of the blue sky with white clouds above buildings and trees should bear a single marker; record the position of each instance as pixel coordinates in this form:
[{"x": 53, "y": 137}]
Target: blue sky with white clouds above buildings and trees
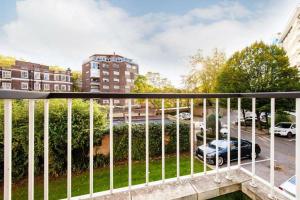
[{"x": 159, "y": 35}]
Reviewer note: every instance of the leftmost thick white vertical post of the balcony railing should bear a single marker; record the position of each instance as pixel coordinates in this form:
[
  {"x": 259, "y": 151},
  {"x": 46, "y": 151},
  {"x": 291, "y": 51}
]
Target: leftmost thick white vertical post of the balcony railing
[{"x": 7, "y": 148}]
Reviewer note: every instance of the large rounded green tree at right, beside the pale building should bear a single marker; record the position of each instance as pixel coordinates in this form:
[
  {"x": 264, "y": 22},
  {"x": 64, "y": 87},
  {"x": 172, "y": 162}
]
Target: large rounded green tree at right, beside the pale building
[{"x": 259, "y": 68}]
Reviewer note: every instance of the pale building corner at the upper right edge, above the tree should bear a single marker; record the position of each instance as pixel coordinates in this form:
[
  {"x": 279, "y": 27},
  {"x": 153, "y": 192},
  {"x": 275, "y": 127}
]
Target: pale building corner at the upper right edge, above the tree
[{"x": 290, "y": 38}]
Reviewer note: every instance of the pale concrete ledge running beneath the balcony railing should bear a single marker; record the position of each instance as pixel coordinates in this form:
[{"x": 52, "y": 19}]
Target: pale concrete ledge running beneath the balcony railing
[{"x": 198, "y": 188}]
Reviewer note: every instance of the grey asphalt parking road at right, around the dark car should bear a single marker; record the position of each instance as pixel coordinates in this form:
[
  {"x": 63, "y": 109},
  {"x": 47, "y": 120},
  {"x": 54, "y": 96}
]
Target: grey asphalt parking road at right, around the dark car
[{"x": 284, "y": 153}]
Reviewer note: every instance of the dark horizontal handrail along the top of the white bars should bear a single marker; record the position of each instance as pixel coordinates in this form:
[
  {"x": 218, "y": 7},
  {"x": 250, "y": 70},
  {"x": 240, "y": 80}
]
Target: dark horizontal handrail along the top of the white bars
[{"x": 17, "y": 94}]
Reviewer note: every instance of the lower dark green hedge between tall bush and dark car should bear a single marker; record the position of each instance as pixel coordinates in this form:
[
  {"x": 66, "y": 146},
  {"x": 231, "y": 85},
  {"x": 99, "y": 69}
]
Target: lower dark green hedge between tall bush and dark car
[{"x": 155, "y": 140}]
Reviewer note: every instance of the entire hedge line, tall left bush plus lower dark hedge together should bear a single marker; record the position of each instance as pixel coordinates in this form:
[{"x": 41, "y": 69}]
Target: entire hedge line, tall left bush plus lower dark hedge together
[{"x": 80, "y": 138}]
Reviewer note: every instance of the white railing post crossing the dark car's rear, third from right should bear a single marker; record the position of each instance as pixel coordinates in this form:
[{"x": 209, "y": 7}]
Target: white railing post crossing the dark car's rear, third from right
[{"x": 253, "y": 154}]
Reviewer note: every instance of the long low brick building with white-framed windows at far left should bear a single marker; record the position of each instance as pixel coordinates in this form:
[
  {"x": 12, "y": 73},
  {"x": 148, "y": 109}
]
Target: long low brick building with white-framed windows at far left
[{"x": 29, "y": 76}]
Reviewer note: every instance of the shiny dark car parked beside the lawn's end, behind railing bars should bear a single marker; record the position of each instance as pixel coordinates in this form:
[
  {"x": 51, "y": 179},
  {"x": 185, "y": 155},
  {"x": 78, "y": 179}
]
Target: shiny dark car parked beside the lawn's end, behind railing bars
[{"x": 246, "y": 150}]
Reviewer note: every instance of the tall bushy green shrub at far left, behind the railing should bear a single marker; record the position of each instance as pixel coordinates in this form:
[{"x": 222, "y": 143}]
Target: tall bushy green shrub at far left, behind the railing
[{"x": 57, "y": 136}]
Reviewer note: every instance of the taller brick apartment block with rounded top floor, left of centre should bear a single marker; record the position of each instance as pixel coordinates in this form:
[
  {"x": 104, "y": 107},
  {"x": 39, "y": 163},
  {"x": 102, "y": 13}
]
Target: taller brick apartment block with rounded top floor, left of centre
[{"x": 109, "y": 73}]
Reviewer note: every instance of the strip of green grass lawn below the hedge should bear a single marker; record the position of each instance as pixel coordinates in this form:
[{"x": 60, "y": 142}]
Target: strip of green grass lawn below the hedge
[{"x": 80, "y": 182}]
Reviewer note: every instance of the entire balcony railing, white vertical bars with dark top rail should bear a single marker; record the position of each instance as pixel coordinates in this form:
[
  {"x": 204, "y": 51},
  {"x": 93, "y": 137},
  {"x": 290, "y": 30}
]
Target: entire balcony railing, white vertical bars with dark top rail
[{"x": 8, "y": 96}]
